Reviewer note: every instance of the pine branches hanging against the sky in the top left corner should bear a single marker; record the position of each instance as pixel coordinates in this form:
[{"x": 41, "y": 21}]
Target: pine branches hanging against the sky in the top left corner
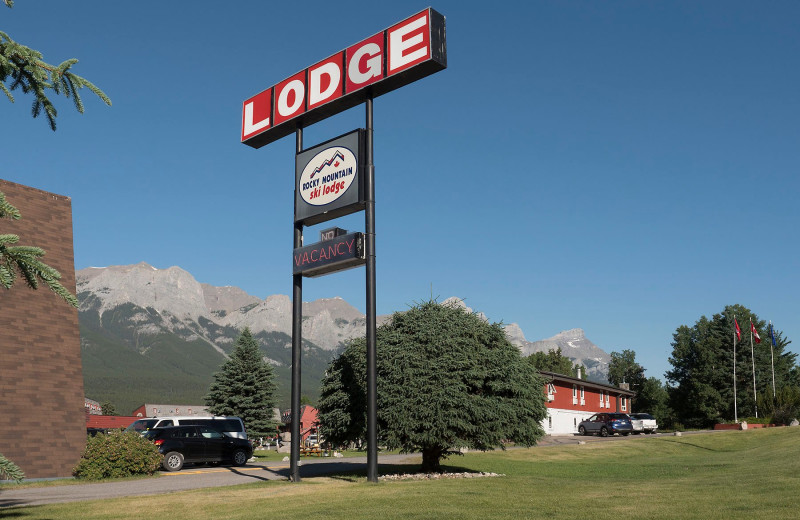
[{"x": 25, "y": 70}]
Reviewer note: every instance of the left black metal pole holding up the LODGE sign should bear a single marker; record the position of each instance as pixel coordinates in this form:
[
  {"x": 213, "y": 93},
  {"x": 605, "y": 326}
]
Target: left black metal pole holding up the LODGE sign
[{"x": 297, "y": 346}]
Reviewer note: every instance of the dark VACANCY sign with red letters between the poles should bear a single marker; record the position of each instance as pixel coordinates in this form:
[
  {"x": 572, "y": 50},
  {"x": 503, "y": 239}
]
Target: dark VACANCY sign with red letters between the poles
[{"x": 340, "y": 253}]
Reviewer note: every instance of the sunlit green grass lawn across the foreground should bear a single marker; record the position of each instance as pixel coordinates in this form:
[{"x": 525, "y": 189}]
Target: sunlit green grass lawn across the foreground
[{"x": 737, "y": 474}]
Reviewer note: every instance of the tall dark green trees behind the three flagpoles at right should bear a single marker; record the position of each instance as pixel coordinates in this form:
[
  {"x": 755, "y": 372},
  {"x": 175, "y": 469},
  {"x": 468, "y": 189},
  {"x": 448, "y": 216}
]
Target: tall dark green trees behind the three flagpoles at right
[{"x": 702, "y": 373}]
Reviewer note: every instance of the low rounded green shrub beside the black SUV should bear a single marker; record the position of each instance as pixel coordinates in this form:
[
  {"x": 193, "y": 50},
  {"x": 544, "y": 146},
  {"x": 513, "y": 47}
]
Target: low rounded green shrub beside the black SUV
[{"x": 117, "y": 455}]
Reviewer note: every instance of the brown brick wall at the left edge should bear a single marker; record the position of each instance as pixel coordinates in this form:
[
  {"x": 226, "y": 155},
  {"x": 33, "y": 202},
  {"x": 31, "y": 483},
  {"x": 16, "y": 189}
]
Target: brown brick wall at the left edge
[{"x": 43, "y": 425}]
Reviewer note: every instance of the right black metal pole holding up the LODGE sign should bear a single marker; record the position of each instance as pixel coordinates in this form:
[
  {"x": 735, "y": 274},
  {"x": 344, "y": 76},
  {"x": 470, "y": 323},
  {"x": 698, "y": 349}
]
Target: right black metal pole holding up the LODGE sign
[{"x": 372, "y": 363}]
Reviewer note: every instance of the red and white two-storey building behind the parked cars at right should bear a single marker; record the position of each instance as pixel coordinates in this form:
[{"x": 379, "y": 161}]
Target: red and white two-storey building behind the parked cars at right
[{"x": 570, "y": 400}]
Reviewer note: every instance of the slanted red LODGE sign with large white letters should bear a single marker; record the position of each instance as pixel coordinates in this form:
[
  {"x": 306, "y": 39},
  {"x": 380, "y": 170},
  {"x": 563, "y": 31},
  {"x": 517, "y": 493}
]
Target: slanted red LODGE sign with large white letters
[{"x": 397, "y": 56}]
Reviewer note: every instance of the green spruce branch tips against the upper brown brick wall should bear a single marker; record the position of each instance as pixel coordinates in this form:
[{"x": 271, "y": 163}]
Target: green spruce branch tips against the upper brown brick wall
[{"x": 25, "y": 260}]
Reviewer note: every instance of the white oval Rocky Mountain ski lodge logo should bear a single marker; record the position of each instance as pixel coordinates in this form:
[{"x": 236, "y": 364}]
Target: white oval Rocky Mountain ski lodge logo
[{"x": 328, "y": 175}]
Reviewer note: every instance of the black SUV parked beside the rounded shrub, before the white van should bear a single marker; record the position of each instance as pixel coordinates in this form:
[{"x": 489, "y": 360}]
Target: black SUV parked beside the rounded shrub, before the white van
[{"x": 182, "y": 444}]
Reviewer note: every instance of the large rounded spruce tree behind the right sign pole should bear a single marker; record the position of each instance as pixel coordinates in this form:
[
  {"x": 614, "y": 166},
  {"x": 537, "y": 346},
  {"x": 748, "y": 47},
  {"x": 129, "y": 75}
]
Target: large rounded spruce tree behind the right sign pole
[{"x": 446, "y": 380}]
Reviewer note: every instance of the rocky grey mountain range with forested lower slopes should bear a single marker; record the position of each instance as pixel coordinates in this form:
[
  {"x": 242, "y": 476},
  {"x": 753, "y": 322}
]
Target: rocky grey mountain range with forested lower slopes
[{"x": 158, "y": 335}]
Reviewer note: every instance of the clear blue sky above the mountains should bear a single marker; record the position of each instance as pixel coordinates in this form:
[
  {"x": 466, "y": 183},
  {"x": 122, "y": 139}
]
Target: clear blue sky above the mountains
[{"x": 621, "y": 167}]
